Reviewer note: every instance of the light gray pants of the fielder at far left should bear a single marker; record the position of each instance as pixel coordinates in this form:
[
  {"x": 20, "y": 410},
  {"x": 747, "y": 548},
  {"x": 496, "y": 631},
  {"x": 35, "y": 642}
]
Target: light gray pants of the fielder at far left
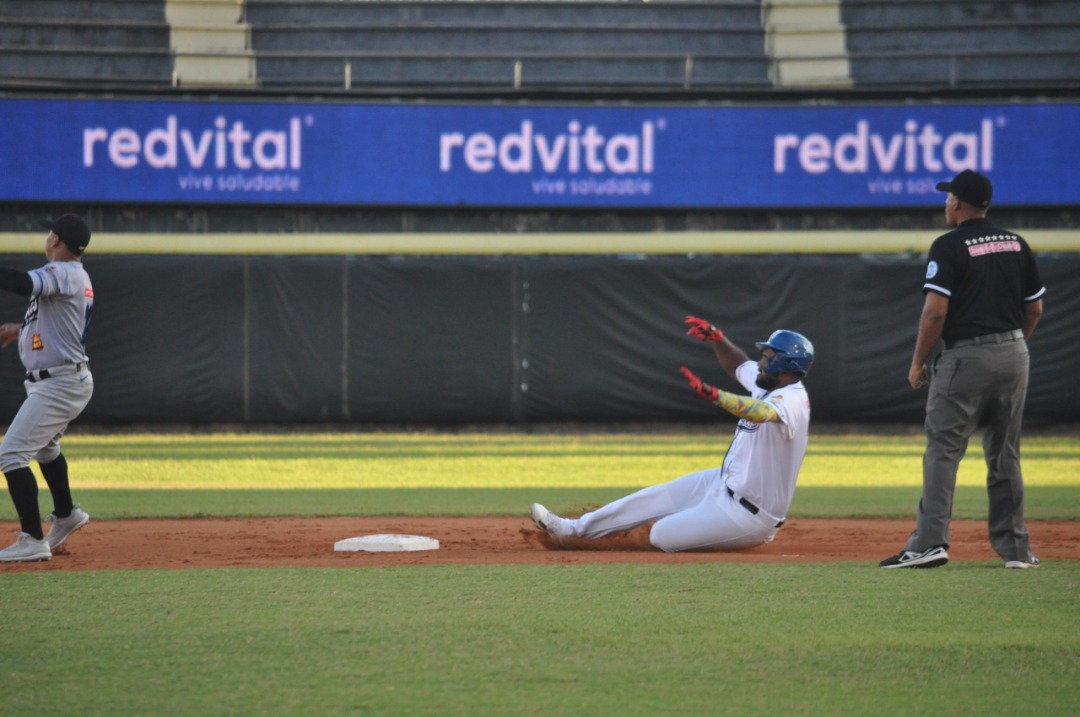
[{"x": 51, "y": 405}]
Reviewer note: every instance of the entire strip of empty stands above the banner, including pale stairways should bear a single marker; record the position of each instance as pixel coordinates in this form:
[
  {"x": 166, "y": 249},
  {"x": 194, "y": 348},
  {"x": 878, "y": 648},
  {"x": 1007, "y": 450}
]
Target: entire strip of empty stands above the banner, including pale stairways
[{"x": 431, "y": 47}]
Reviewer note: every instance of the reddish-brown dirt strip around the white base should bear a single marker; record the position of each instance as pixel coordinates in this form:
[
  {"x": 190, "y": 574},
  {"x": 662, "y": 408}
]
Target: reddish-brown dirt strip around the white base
[{"x": 309, "y": 543}]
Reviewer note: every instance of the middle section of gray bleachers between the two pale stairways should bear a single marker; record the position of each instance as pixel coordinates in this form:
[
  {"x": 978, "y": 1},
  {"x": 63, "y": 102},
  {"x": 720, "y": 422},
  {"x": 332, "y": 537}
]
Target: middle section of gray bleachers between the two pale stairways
[{"x": 508, "y": 45}]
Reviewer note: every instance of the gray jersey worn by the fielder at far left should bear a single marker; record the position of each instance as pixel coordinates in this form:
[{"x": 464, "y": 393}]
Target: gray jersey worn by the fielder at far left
[{"x": 55, "y": 330}]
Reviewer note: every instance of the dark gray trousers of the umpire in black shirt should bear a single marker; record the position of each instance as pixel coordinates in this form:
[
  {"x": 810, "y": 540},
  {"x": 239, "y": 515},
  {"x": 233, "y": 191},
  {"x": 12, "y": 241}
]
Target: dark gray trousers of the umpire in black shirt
[{"x": 973, "y": 387}]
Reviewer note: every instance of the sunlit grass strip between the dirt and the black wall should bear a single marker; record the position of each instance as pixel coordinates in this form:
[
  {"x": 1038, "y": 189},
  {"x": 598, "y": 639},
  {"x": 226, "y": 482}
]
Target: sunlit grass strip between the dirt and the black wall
[{"x": 152, "y": 476}]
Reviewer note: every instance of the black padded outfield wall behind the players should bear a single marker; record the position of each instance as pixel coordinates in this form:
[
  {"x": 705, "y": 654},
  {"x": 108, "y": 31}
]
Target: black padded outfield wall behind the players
[{"x": 451, "y": 341}]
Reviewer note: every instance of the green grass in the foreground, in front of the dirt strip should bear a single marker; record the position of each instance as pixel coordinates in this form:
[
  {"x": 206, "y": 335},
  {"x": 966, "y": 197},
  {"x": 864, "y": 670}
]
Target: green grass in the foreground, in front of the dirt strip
[{"x": 678, "y": 640}]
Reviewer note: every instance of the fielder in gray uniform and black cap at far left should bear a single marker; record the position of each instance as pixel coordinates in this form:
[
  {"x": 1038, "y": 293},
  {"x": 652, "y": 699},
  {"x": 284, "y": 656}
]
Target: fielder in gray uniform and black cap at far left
[{"x": 52, "y": 347}]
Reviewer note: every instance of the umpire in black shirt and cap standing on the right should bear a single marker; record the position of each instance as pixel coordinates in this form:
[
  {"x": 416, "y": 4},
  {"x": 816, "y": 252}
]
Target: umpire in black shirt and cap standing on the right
[{"x": 984, "y": 299}]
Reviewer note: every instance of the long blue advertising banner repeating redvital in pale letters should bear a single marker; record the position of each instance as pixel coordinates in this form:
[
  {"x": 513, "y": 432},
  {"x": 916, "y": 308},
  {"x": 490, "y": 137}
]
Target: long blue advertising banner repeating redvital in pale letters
[{"x": 533, "y": 156}]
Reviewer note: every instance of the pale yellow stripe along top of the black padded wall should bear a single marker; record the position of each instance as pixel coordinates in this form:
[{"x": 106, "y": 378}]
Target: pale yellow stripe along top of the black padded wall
[{"x": 612, "y": 243}]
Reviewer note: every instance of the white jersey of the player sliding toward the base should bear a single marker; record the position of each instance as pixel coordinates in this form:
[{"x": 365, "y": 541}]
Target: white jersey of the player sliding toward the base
[{"x": 764, "y": 459}]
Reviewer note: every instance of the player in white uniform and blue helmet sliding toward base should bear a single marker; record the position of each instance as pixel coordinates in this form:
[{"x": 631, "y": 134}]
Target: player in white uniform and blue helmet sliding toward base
[{"x": 746, "y": 500}]
